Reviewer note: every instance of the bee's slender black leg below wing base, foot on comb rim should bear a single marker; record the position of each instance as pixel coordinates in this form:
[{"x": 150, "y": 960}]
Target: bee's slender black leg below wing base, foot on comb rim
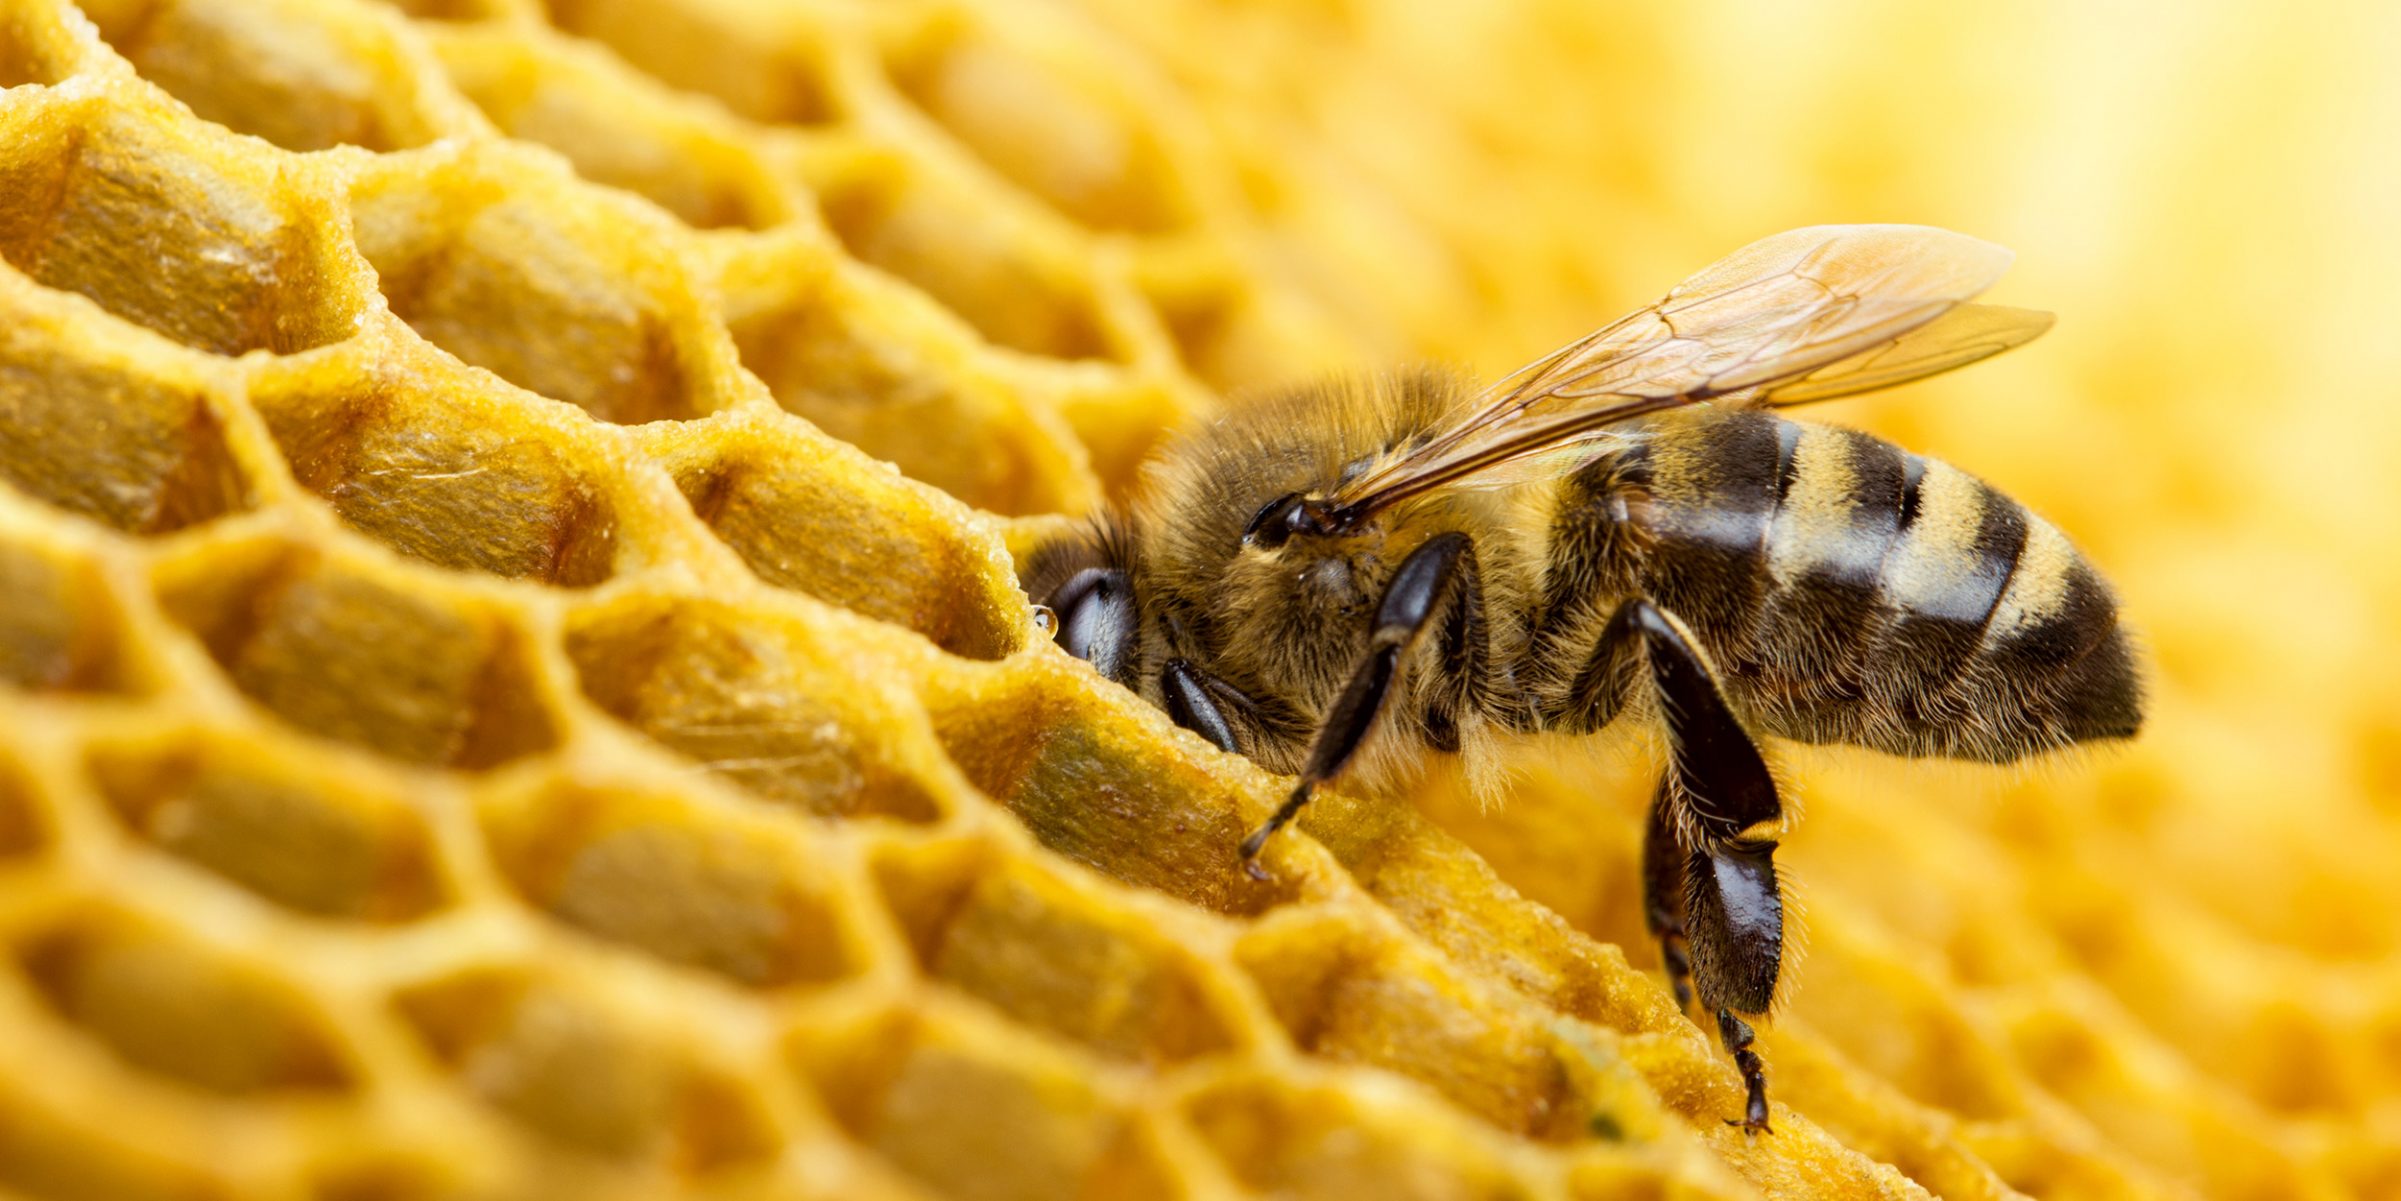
[{"x": 1408, "y": 607}]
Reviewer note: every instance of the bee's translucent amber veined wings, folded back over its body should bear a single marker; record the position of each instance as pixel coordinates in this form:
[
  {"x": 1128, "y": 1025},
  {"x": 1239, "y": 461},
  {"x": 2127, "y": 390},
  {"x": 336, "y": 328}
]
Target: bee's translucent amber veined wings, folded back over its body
[{"x": 1804, "y": 316}]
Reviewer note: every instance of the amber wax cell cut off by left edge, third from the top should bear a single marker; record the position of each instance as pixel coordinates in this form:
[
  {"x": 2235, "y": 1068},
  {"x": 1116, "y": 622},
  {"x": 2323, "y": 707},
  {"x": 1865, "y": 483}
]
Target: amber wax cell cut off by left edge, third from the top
[{"x": 102, "y": 431}]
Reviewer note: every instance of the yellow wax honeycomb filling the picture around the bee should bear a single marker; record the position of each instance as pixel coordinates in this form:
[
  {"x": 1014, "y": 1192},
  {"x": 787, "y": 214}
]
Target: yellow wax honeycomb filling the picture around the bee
[{"x": 513, "y": 679}]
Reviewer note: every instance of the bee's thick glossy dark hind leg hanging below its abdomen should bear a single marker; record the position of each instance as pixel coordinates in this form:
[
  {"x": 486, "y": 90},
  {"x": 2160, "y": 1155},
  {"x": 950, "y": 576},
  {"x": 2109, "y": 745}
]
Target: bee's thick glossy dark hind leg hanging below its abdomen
[{"x": 1718, "y": 806}]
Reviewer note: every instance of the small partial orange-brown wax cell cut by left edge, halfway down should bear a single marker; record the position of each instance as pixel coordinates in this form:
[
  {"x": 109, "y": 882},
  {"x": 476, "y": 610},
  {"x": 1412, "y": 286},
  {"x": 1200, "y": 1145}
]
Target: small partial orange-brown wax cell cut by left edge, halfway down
[{"x": 59, "y": 628}]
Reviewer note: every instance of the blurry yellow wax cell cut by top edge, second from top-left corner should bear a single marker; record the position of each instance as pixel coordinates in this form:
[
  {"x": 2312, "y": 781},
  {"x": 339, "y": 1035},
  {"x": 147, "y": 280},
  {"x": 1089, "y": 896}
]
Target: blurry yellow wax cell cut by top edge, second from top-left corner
[{"x": 299, "y": 76}]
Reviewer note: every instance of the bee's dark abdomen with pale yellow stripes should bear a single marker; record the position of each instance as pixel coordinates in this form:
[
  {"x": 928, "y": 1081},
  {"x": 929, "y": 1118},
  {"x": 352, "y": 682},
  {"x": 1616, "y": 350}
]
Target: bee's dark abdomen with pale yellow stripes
[{"x": 1860, "y": 594}]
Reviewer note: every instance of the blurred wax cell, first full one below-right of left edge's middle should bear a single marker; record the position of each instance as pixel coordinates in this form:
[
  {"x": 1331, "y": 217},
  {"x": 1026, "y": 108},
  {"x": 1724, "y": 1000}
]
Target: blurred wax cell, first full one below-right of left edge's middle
[{"x": 304, "y": 835}]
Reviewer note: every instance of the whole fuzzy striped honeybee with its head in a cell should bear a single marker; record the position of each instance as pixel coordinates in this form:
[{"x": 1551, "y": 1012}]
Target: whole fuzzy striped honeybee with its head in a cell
[{"x": 1346, "y": 580}]
